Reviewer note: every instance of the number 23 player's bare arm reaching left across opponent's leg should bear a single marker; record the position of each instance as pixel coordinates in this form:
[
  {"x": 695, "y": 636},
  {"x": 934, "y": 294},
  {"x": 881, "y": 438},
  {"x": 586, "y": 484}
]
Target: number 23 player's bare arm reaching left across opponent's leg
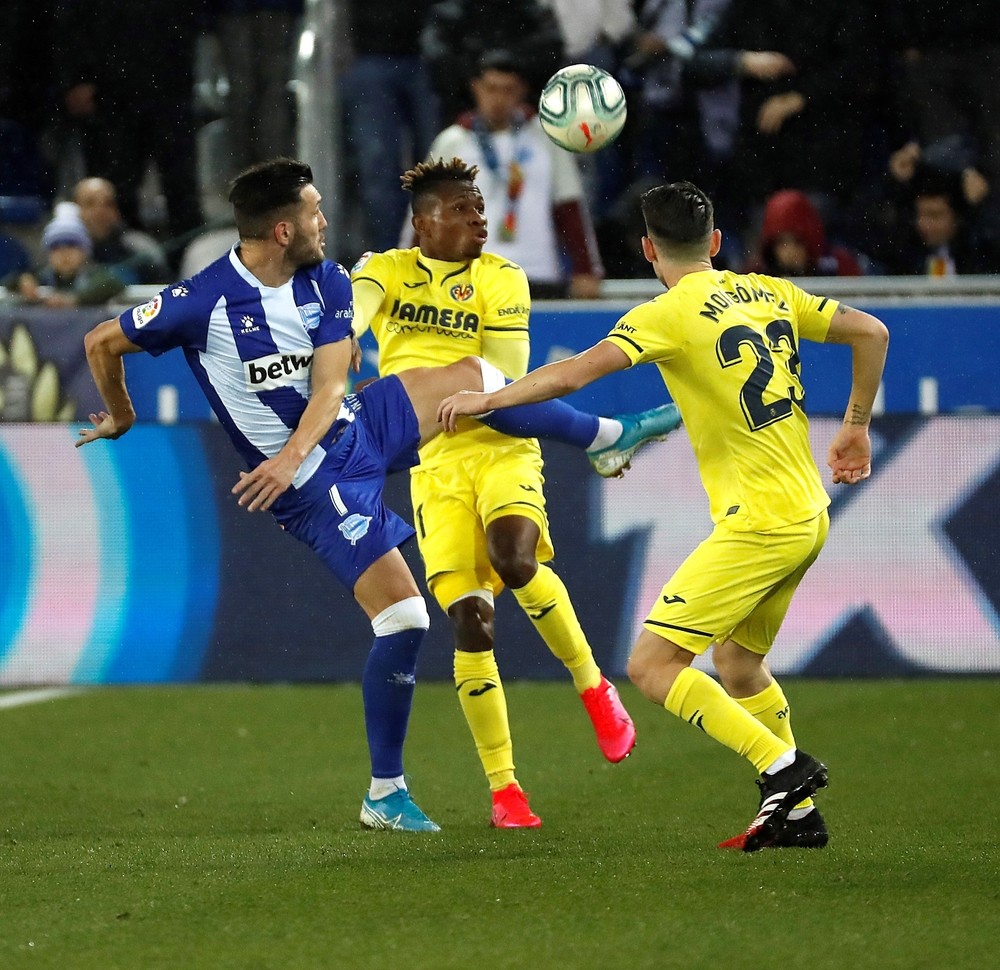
[{"x": 542, "y": 384}]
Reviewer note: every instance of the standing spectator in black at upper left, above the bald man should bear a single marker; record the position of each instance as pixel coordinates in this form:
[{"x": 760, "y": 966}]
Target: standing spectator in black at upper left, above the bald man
[{"x": 126, "y": 78}]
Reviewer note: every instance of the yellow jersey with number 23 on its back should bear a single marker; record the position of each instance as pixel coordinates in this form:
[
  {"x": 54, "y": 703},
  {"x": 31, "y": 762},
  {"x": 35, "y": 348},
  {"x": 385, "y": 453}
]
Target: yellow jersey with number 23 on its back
[{"x": 726, "y": 346}]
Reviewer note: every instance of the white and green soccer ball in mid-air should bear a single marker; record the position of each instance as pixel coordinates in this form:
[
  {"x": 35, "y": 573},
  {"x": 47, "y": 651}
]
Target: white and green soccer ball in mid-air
[{"x": 582, "y": 108}]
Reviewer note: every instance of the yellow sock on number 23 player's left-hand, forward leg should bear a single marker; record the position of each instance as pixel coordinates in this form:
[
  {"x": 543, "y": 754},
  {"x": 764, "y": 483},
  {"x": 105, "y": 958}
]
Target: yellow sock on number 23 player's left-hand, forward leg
[{"x": 701, "y": 701}]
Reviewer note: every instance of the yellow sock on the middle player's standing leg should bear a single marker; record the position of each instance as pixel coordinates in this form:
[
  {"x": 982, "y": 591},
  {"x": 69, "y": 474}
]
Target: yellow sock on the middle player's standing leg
[{"x": 484, "y": 704}]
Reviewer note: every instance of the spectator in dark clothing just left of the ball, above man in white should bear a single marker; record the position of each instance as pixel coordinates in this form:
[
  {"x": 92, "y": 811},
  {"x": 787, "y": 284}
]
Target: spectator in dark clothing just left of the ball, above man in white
[{"x": 459, "y": 32}]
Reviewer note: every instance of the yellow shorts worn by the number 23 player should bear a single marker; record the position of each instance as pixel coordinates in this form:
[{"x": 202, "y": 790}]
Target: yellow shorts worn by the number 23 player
[{"x": 737, "y": 585}]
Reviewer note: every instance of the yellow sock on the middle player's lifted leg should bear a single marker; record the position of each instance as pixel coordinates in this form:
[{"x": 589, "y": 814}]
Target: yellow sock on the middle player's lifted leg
[{"x": 546, "y": 602}]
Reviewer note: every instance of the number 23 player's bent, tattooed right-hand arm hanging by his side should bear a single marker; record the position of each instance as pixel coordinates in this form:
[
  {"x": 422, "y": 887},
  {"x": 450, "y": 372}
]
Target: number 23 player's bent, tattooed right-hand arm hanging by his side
[{"x": 850, "y": 451}]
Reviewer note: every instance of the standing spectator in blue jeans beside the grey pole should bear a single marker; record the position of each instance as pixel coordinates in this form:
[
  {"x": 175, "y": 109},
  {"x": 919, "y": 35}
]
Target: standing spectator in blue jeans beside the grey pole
[{"x": 391, "y": 111}]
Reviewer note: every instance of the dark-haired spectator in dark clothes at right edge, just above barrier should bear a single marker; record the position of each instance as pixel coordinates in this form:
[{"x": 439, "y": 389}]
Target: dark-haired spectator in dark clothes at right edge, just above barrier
[{"x": 943, "y": 236}]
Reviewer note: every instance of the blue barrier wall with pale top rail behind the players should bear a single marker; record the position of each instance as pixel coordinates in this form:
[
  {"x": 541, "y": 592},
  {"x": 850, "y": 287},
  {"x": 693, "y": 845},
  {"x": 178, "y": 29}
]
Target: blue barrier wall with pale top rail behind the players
[{"x": 945, "y": 347}]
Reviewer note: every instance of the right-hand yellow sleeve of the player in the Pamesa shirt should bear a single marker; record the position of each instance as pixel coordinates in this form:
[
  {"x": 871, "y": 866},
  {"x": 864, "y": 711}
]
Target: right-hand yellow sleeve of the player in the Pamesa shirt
[{"x": 507, "y": 306}]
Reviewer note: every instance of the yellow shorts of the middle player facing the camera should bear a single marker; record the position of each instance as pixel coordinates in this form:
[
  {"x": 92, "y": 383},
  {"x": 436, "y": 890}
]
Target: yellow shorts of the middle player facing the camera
[{"x": 453, "y": 504}]
